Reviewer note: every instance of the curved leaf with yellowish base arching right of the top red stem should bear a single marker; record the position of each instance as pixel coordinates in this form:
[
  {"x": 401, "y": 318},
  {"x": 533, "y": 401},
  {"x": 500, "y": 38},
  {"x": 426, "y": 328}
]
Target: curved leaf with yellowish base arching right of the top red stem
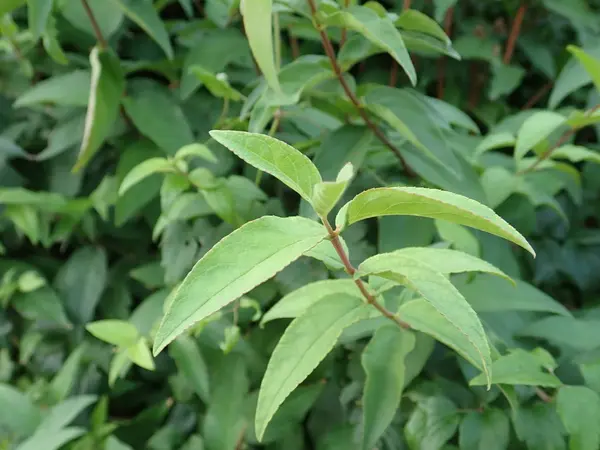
[{"x": 379, "y": 30}]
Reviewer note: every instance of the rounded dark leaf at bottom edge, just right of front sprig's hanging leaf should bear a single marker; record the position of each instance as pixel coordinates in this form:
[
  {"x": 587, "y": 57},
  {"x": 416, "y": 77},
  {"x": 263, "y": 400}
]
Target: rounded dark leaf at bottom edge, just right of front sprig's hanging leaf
[{"x": 432, "y": 423}]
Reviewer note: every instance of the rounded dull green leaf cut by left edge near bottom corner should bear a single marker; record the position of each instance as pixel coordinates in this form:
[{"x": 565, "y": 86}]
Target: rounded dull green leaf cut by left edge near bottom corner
[{"x": 24, "y": 416}]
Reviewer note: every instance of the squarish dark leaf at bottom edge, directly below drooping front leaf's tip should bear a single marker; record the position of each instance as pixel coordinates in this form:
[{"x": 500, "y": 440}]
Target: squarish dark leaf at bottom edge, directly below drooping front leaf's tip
[{"x": 488, "y": 430}]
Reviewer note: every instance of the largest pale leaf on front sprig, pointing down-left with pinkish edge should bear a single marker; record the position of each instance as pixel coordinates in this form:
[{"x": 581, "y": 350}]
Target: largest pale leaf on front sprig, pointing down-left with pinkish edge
[{"x": 239, "y": 262}]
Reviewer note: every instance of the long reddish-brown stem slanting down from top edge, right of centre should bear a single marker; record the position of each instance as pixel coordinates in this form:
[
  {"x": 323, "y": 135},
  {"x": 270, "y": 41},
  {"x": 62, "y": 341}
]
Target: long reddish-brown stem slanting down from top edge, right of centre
[{"x": 352, "y": 97}]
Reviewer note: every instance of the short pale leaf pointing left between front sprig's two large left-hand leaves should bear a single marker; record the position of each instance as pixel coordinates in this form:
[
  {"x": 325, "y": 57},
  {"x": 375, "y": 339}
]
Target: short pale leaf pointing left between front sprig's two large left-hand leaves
[{"x": 297, "y": 302}]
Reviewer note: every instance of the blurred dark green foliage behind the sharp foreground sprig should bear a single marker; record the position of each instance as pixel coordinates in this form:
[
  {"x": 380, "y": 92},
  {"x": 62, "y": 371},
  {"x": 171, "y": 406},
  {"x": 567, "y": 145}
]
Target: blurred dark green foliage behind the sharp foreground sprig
[{"x": 75, "y": 251}]
